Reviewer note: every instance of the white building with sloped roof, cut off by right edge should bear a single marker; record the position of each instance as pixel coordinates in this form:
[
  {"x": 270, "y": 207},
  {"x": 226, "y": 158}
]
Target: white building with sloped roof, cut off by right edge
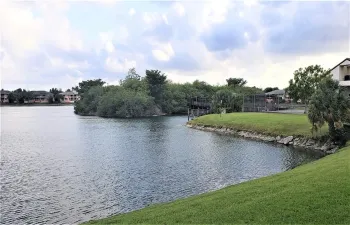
[{"x": 341, "y": 72}]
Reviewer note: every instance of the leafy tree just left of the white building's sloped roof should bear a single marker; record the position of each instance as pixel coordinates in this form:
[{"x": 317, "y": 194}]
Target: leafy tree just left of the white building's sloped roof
[{"x": 305, "y": 82}]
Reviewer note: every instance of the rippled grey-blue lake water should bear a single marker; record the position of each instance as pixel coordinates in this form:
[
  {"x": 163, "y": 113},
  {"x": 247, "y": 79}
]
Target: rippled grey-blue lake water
[{"x": 57, "y": 167}]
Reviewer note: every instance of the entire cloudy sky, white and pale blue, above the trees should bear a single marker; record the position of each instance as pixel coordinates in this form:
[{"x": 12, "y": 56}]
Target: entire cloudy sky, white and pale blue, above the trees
[{"x": 50, "y": 43}]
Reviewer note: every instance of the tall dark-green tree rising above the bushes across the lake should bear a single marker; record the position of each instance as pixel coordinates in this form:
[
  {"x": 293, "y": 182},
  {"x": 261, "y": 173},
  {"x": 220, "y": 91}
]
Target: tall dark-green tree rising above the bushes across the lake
[{"x": 156, "y": 81}]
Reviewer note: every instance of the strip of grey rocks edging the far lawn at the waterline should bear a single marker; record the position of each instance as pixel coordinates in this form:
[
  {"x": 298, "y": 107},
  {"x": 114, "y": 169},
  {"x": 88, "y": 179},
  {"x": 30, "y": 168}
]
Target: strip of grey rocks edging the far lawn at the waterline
[{"x": 324, "y": 147}]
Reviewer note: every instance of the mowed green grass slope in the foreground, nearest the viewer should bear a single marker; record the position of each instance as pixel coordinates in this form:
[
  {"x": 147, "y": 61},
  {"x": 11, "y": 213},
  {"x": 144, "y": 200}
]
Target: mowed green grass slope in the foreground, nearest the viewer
[{"x": 315, "y": 193}]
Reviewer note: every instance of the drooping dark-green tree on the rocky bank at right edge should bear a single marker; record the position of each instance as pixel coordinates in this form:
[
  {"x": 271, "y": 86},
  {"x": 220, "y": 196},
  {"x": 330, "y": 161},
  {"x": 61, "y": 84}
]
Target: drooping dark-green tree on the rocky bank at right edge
[{"x": 330, "y": 105}]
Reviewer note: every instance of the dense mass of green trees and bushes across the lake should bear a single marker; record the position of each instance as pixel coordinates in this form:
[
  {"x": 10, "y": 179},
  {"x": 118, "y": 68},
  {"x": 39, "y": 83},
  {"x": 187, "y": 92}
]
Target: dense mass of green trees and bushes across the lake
[{"x": 154, "y": 94}]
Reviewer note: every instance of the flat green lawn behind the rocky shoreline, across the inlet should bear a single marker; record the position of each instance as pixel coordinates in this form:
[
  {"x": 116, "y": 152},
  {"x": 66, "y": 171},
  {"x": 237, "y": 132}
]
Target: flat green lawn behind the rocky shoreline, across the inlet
[{"x": 265, "y": 123}]
